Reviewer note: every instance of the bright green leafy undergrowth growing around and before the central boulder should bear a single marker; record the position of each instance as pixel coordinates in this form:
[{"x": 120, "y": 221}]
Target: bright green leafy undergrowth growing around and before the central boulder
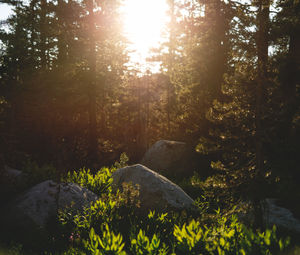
[{"x": 115, "y": 225}]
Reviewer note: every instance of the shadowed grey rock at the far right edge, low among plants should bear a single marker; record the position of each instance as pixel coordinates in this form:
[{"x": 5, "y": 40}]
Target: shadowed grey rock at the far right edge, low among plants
[{"x": 281, "y": 217}]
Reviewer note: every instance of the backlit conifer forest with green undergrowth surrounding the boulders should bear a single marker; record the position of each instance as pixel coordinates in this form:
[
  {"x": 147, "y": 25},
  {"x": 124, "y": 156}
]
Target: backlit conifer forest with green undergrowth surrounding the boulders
[{"x": 226, "y": 82}]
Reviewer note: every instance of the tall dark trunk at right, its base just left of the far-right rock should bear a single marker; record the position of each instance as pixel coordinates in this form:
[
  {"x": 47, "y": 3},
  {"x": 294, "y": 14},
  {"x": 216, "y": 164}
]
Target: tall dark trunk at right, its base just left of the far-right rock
[{"x": 262, "y": 62}]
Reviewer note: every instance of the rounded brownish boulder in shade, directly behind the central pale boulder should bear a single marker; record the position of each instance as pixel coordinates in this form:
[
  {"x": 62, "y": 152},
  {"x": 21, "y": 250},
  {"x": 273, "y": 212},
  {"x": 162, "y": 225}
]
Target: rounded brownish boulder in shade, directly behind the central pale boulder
[{"x": 172, "y": 159}]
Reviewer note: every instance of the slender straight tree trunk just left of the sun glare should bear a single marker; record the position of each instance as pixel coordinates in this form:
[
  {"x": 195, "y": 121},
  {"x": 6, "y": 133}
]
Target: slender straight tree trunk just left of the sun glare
[{"x": 93, "y": 137}]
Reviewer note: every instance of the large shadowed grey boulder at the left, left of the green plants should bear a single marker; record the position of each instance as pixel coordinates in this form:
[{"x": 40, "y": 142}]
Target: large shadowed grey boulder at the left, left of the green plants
[{"x": 32, "y": 215}]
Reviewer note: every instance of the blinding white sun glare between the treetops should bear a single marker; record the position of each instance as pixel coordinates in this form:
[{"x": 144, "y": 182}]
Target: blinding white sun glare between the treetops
[{"x": 144, "y": 23}]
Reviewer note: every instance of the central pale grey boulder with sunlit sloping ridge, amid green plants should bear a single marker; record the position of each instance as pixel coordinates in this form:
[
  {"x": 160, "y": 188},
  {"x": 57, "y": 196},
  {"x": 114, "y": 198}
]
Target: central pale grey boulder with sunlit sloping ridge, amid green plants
[{"x": 155, "y": 191}]
